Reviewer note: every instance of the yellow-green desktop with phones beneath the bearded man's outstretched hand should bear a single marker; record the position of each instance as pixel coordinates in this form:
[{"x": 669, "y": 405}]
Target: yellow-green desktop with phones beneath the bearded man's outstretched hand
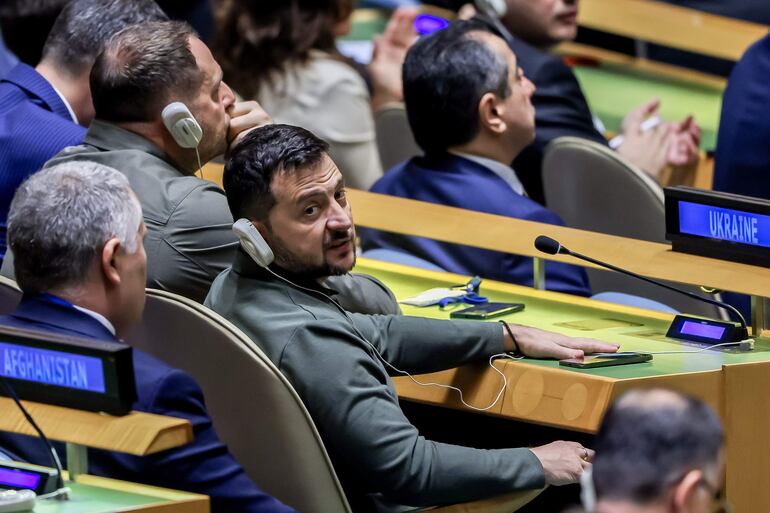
[{"x": 634, "y": 329}]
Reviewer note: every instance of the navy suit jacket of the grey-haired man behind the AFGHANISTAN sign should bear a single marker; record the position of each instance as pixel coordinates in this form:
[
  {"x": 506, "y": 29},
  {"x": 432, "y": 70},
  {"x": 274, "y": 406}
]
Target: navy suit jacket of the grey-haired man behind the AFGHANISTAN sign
[{"x": 203, "y": 466}]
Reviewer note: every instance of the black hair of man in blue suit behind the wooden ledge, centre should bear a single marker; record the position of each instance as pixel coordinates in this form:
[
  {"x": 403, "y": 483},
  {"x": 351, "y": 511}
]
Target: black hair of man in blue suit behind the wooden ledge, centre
[{"x": 445, "y": 76}]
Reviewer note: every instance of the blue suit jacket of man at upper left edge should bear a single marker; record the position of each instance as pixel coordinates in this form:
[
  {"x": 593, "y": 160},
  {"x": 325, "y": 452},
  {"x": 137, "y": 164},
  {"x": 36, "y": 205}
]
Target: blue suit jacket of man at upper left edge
[{"x": 34, "y": 126}]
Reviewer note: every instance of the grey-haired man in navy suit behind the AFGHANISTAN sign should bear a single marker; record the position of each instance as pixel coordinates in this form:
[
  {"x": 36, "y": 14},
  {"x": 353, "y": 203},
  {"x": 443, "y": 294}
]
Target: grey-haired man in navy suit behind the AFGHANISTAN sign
[{"x": 77, "y": 232}]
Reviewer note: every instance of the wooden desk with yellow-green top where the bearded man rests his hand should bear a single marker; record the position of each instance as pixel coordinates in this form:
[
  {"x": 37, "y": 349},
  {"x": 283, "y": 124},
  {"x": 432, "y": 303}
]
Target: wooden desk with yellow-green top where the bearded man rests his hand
[{"x": 542, "y": 392}]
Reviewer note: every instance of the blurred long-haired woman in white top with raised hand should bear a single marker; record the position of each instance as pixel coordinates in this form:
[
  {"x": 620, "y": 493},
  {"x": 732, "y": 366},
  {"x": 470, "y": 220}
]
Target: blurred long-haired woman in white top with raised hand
[{"x": 282, "y": 52}]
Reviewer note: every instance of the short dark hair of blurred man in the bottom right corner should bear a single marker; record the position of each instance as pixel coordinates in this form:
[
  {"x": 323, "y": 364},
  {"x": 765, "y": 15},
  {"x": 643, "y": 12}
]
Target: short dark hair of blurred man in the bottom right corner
[{"x": 645, "y": 446}]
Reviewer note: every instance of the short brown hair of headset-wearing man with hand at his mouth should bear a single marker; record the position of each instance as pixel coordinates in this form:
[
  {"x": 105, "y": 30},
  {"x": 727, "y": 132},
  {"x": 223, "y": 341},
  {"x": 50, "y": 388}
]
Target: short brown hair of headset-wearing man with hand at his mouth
[{"x": 141, "y": 68}]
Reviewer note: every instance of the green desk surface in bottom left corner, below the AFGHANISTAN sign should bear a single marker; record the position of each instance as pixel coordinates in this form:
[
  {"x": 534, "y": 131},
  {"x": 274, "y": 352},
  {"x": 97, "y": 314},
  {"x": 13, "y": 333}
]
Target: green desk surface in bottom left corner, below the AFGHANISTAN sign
[{"x": 94, "y": 499}]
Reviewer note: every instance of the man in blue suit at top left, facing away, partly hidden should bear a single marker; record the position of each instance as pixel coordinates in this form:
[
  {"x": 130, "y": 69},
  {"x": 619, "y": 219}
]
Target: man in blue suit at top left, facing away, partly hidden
[{"x": 45, "y": 109}]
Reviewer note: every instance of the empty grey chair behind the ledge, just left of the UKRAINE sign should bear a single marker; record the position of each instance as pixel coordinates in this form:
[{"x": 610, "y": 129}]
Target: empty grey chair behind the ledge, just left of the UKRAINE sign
[{"x": 592, "y": 188}]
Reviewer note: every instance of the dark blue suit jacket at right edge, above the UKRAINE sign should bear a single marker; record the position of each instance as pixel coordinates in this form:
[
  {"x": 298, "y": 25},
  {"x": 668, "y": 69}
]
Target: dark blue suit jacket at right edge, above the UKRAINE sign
[{"x": 742, "y": 162}]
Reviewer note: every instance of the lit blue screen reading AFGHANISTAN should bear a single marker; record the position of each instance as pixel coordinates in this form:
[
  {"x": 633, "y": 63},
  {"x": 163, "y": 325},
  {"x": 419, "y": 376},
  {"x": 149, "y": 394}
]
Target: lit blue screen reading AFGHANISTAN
[{"x": 52, "y": 367}]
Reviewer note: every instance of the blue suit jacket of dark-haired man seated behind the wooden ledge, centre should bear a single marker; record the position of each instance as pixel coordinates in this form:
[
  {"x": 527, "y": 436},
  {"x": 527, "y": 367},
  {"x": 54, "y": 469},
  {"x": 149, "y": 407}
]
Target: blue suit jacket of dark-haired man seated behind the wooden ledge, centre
[{"x": 459, "y": 182}]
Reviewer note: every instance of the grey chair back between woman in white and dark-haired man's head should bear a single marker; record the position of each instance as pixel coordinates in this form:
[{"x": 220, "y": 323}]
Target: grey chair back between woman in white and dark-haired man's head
[{"x": 395, "y": 141}]
